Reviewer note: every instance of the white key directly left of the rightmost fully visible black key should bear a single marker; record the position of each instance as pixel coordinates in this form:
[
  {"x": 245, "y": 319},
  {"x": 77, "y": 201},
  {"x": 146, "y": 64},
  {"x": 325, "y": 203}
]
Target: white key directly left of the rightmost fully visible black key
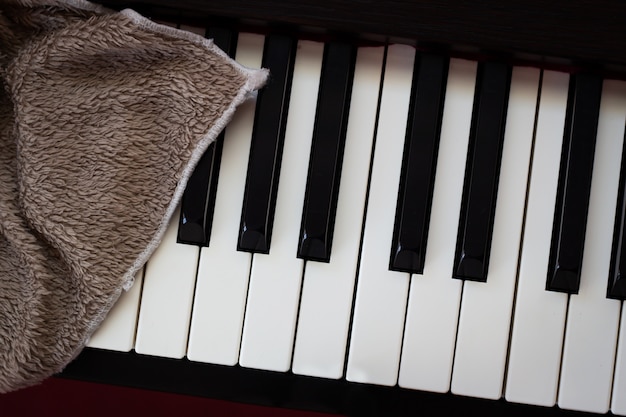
[{"x": 539, "y": 318}]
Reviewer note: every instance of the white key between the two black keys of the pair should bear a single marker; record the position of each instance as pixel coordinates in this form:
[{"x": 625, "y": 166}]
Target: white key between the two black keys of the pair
[{"x": 434, "y": 298}]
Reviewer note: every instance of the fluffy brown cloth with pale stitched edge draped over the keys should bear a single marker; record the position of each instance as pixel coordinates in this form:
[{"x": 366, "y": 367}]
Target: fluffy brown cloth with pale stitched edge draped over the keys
[{"x": 103, "y": 117}]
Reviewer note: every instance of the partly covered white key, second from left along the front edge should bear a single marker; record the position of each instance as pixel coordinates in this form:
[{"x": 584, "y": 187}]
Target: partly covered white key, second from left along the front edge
[{"x": 167, "y": 297}]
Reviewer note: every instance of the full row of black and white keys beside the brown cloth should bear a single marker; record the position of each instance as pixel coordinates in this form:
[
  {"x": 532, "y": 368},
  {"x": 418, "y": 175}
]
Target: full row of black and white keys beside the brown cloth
[{"x": 426, "y": 232}]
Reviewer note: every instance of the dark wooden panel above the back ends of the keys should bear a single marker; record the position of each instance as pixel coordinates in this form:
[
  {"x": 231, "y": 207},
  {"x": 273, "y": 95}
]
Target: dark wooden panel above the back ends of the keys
[{"x": 575, "y": 32}]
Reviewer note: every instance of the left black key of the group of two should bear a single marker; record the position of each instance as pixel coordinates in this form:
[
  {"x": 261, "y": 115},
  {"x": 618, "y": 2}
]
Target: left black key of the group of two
[{"x": 419, "y": 164}]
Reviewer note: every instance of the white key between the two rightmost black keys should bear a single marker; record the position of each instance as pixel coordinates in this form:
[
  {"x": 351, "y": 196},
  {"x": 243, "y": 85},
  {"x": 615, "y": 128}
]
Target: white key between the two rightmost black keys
[{"x": 593, "y": 320}]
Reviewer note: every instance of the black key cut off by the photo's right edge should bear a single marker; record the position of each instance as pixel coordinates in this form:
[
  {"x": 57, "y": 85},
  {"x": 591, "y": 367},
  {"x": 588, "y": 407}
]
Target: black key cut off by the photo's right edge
[{"x": 617, "y": 280}]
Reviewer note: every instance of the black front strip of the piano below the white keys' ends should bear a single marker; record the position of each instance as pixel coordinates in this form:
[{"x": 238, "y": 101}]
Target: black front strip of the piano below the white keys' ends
[{"x": 284, "y": 390}]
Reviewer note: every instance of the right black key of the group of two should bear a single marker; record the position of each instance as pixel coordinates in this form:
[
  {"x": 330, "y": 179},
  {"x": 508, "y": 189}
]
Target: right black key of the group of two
[{"x": 478, "y": 204}]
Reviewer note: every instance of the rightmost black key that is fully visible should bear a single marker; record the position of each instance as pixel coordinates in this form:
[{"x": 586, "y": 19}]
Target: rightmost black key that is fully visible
[{"x": 572, "y": 203}]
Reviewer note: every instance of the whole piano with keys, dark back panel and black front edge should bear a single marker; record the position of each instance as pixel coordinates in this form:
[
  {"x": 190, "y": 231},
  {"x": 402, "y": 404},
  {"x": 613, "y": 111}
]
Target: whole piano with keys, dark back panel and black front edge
[{"x": 423, "y": 211}]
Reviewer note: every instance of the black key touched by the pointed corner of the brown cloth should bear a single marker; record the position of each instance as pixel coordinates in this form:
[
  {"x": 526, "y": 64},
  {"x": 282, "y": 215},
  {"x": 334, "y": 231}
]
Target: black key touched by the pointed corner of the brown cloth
[{"x": 268, "y": 136}]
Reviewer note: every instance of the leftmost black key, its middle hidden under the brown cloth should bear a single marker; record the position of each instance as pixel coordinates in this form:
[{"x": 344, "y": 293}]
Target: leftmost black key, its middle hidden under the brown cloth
[{"x": 198, "y": 202}]
